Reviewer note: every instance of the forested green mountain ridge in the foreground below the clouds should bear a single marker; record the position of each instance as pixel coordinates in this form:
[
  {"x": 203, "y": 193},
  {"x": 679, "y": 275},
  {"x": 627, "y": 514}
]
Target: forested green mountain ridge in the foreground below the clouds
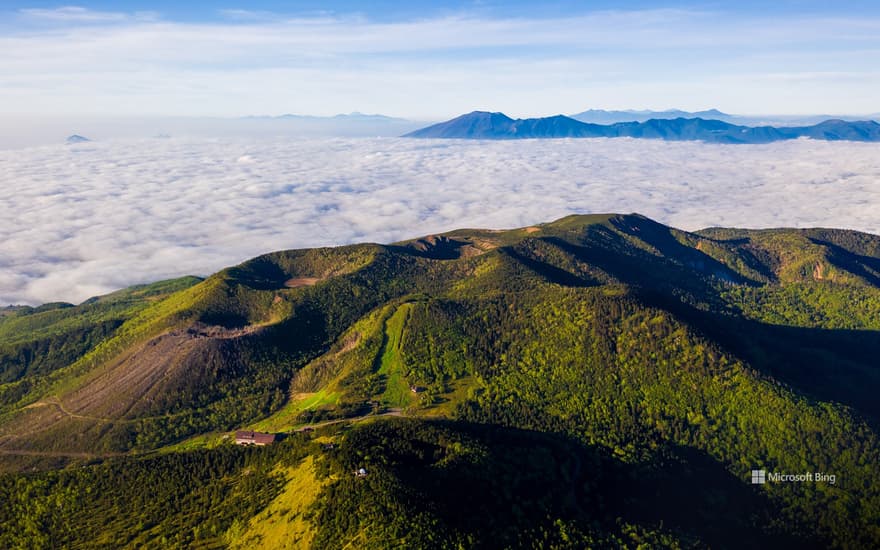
[{"x": 673, "y": 363}]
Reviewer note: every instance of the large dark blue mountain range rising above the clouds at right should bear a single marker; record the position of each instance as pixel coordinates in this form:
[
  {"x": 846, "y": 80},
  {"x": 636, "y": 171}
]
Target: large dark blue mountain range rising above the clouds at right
[{"x": 486, "y": 125}]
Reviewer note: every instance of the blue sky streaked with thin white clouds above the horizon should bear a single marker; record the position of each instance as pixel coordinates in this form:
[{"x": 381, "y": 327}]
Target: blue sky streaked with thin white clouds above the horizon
[{"x": 432, "y": 60}]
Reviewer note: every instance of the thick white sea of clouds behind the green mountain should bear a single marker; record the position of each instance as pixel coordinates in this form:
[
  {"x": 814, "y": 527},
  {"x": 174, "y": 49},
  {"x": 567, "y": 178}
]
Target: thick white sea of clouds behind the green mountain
[{"x": 82, "y": 220}]
